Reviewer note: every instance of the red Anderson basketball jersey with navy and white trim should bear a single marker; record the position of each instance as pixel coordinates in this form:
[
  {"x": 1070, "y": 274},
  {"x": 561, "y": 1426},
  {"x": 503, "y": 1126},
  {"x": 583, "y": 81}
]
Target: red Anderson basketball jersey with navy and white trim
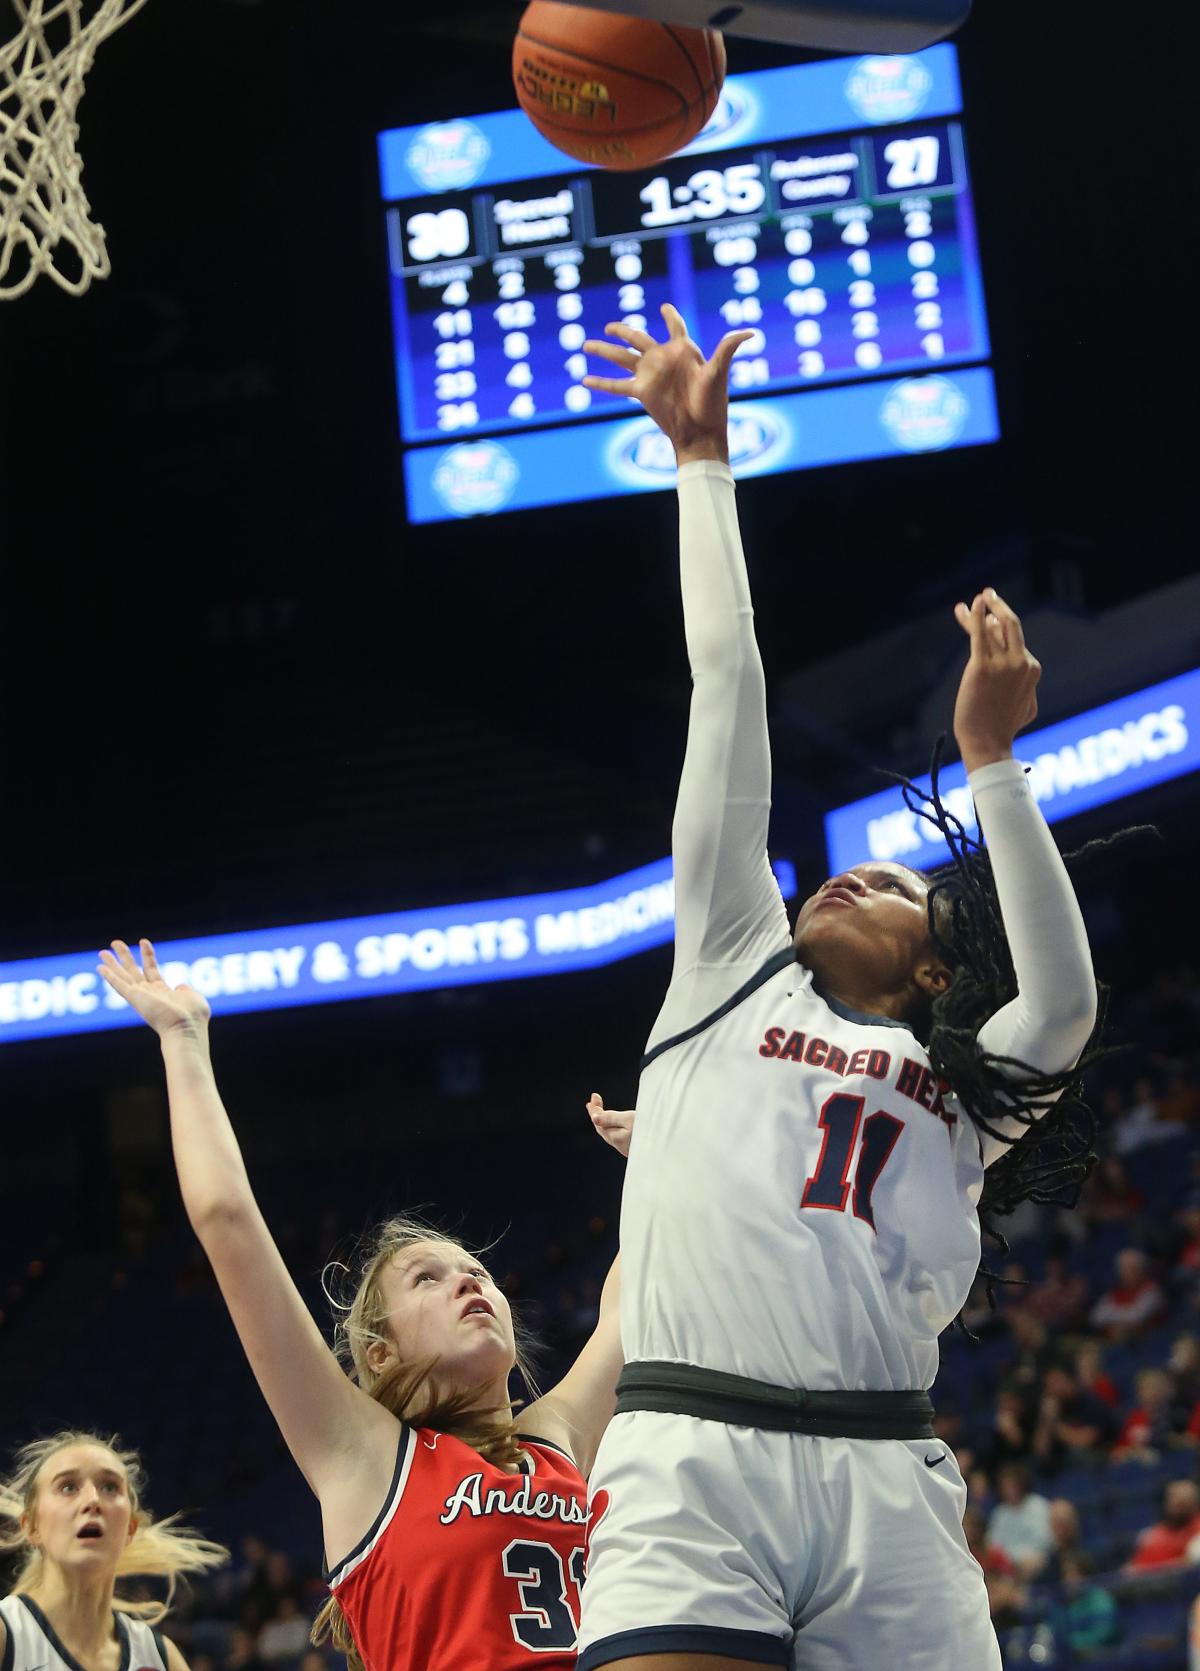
[{"x": 469, "y": 1568}]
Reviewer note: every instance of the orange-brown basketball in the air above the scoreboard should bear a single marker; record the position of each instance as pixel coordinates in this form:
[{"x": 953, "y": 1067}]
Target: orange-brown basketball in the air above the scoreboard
[{"x": 616, "y": 91}]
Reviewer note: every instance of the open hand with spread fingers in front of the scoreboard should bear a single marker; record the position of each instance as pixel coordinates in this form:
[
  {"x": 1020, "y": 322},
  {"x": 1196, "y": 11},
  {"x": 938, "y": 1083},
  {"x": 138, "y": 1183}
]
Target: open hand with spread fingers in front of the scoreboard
[{"x": 684, "y": 394}]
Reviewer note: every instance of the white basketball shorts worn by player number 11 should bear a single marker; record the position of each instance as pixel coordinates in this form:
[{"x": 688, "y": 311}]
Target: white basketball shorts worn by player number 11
[{"x": 818, "y": 1555}]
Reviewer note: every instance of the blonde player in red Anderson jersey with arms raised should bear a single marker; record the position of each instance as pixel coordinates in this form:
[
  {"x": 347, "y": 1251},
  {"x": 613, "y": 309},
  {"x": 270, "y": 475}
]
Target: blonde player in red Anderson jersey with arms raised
[{"x": 455, "y": 1541}]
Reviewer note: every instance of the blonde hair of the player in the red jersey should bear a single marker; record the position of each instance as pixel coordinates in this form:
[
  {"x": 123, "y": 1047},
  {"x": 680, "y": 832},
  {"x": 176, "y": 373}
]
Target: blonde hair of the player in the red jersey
[{"x": 407, "y": 1389}]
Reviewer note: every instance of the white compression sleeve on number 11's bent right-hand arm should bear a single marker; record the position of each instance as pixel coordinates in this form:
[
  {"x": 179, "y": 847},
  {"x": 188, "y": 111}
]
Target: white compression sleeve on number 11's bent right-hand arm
[{"x": 1052, "y": 1017}]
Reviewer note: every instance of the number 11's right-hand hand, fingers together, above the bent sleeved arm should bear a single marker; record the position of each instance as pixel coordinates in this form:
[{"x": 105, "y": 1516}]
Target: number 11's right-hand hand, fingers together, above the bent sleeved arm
[{"x": 999, "y": 693}]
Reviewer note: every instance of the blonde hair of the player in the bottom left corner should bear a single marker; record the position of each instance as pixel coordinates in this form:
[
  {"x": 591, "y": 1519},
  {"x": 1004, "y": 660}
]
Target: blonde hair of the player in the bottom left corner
[{"x": 156, "y": 1550}]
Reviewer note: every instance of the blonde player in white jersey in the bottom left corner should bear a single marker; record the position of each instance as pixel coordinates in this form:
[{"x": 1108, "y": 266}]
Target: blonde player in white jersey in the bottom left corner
[{"x": 73, "y": 1508}]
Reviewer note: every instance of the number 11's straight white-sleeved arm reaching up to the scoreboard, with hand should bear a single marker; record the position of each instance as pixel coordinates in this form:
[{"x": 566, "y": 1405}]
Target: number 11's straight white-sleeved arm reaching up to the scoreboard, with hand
[{"x": 728, "y": 907}]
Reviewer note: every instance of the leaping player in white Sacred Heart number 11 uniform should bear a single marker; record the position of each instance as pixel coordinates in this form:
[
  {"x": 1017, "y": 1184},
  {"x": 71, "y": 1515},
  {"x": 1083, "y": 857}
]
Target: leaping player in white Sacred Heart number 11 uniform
[{"x": 801, "y": 1219}]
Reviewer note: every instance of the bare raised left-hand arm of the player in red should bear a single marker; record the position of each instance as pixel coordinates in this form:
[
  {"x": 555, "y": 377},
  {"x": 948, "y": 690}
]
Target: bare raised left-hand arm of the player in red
[{"x": 343, "y": 1441}]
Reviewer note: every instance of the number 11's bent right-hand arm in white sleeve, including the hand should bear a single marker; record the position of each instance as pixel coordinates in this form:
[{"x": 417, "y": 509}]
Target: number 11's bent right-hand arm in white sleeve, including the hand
[{"x": 1055, "y": 1008}]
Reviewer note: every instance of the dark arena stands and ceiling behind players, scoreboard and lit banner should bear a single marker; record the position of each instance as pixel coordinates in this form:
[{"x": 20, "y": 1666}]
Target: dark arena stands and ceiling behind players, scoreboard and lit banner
[{"x": 242, "y": 691}]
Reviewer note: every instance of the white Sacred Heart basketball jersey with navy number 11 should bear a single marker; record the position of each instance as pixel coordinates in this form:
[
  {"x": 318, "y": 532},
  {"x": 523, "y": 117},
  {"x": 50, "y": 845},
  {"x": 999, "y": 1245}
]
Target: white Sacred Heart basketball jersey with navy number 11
[{"x": 801, "y": 1199}]
